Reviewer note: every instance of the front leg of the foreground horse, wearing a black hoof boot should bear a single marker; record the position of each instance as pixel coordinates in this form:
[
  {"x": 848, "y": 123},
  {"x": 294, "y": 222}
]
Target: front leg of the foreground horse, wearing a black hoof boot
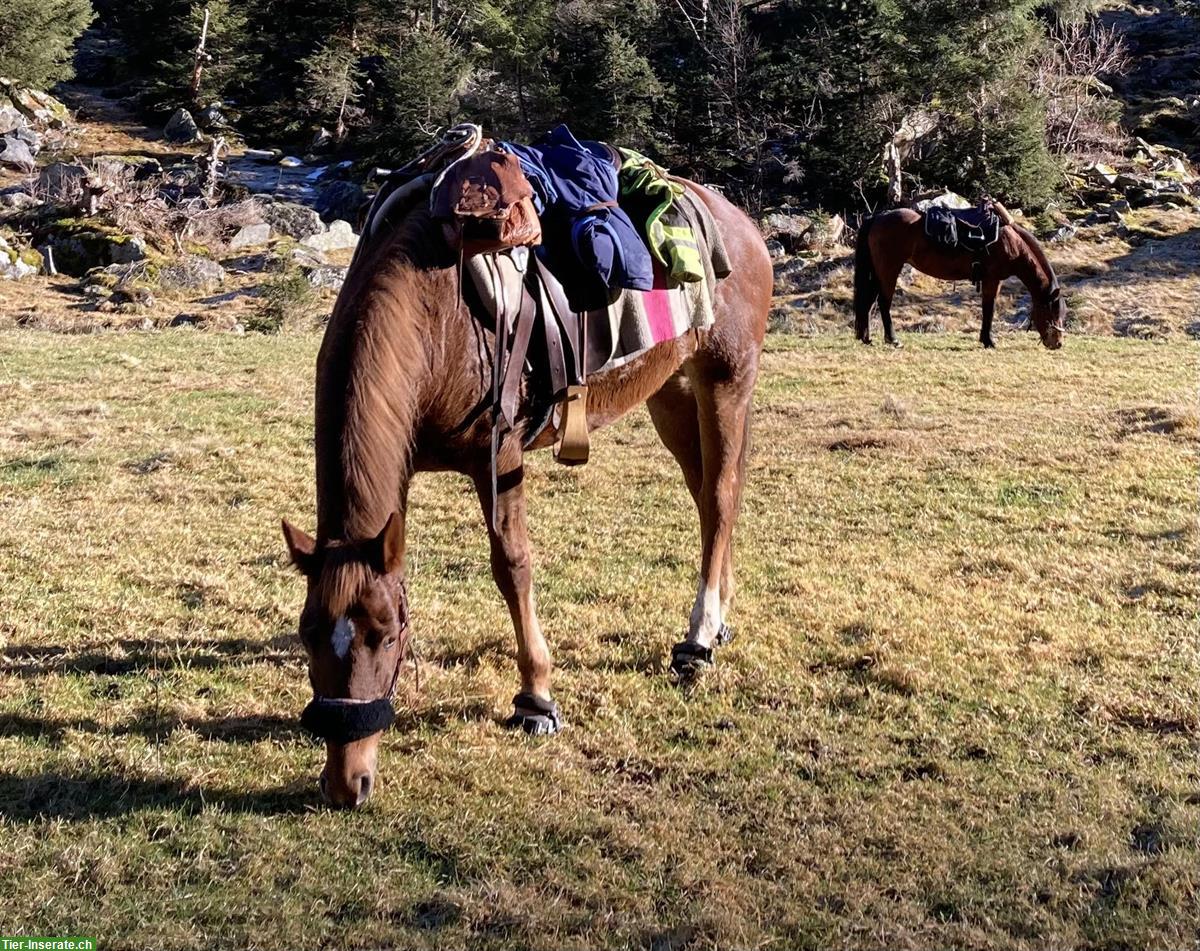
[{"x": 513, "y": 570}]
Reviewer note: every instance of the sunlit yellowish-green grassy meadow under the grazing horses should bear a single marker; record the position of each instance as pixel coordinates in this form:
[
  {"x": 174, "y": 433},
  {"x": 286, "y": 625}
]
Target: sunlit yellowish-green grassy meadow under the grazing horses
[{"x": 963, "y": 709}]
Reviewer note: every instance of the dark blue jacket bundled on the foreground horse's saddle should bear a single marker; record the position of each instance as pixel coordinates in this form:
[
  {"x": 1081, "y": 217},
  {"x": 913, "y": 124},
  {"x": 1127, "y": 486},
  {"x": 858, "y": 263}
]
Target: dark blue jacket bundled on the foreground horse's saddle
[{"x": 575, "y": 192}]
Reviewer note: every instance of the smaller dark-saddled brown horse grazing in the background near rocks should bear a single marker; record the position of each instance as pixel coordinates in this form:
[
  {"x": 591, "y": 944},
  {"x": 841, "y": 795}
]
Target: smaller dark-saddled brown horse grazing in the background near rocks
[{"x": 890, "y": 241}]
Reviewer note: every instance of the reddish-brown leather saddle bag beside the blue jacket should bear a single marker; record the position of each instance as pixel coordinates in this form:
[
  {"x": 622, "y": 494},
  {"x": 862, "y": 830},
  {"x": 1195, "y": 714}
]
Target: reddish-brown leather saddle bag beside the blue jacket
[{"x": 485, "y": 204}]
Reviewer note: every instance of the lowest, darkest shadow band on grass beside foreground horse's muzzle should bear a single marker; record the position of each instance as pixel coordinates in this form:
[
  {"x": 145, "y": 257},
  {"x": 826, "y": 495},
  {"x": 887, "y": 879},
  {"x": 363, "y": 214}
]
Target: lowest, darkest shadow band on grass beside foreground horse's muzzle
[{"x": 52, "y": 796}]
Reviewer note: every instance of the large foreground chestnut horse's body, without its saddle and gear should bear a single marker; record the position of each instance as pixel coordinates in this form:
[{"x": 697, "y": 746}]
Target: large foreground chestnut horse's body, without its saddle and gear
[{"x": 403, "y": 367}]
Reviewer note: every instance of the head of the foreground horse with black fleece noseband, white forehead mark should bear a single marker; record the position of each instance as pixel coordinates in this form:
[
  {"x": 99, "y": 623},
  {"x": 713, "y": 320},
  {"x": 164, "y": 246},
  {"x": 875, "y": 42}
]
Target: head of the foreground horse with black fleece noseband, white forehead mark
[{"x": 355, "y": 627}]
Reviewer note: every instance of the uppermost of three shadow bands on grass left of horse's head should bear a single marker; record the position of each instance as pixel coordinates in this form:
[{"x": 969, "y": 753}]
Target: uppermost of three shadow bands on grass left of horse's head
[{"x": 147, "y": 654}]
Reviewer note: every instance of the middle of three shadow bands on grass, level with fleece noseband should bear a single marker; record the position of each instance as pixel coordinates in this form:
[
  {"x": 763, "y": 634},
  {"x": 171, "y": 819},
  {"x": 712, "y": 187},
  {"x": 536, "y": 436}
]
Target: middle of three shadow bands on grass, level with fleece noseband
[{"x": 159, "y": 727}]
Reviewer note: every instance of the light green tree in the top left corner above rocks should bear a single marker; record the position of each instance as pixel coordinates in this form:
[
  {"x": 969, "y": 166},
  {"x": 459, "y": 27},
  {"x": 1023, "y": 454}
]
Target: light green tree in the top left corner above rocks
[{"x": 38, "y": 40}]
